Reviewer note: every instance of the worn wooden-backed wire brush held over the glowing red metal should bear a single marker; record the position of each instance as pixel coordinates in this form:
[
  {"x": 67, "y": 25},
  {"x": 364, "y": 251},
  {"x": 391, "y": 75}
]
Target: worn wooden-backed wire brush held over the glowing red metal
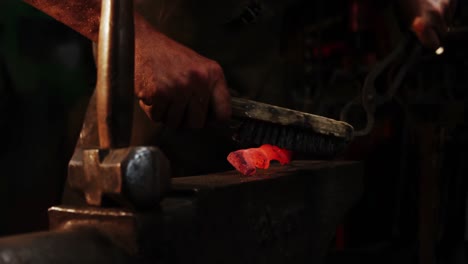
[{"x": 260, "y": 123}]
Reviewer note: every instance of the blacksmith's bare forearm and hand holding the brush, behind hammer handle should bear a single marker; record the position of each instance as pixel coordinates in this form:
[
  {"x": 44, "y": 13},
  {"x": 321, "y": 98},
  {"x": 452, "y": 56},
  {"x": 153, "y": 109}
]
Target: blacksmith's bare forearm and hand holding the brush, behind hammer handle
[{"x": 174, "y": 84}]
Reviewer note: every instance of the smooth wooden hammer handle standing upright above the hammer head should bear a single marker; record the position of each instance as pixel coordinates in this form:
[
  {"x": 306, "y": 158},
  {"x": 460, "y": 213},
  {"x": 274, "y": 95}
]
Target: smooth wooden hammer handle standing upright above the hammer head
[{"x": 115, "y": 73}]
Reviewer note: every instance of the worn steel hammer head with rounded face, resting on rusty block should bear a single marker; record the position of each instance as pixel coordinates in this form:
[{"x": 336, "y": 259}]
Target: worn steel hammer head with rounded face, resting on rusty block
[{"x": 137, "y": 175}]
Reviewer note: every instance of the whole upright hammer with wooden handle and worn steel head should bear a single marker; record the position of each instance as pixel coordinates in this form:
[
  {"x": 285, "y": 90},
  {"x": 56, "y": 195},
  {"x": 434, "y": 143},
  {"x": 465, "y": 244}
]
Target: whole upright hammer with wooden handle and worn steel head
[{"x": 134, "y": 176}]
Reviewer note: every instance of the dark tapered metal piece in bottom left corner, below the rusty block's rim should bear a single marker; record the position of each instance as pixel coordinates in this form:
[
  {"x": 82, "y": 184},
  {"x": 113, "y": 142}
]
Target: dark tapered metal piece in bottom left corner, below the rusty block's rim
[{"x": 84, "y": 245}]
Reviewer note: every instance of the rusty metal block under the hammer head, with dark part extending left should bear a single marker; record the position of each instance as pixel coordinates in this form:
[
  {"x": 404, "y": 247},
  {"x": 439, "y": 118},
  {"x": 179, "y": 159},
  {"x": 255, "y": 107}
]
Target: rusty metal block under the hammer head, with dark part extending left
[{"x": 77, "y": 235}]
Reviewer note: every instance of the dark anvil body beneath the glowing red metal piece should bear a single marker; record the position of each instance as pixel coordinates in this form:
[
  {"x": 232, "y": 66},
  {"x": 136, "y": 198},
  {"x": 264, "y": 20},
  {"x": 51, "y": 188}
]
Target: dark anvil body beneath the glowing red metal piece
[{"x": 287, "y": 214}]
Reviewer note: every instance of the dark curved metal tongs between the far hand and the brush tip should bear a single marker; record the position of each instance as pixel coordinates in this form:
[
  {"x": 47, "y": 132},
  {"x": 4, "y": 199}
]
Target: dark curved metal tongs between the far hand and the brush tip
[{"x": 408, "y": 51}]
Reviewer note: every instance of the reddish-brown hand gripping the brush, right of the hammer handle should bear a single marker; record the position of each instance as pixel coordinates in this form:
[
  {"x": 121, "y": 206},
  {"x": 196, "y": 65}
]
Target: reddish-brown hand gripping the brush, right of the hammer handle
[{"x": 175, "y": 85}]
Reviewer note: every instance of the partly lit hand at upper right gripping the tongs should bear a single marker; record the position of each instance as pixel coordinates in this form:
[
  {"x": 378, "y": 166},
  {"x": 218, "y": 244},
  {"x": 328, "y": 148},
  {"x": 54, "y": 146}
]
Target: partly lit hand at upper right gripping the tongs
[{"x": 428, "y": 19}]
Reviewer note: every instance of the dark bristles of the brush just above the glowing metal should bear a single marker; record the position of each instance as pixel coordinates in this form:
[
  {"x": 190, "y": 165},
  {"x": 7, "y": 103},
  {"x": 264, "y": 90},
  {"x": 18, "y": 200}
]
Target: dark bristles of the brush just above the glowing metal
[{"x": 254, "y": 132}]
